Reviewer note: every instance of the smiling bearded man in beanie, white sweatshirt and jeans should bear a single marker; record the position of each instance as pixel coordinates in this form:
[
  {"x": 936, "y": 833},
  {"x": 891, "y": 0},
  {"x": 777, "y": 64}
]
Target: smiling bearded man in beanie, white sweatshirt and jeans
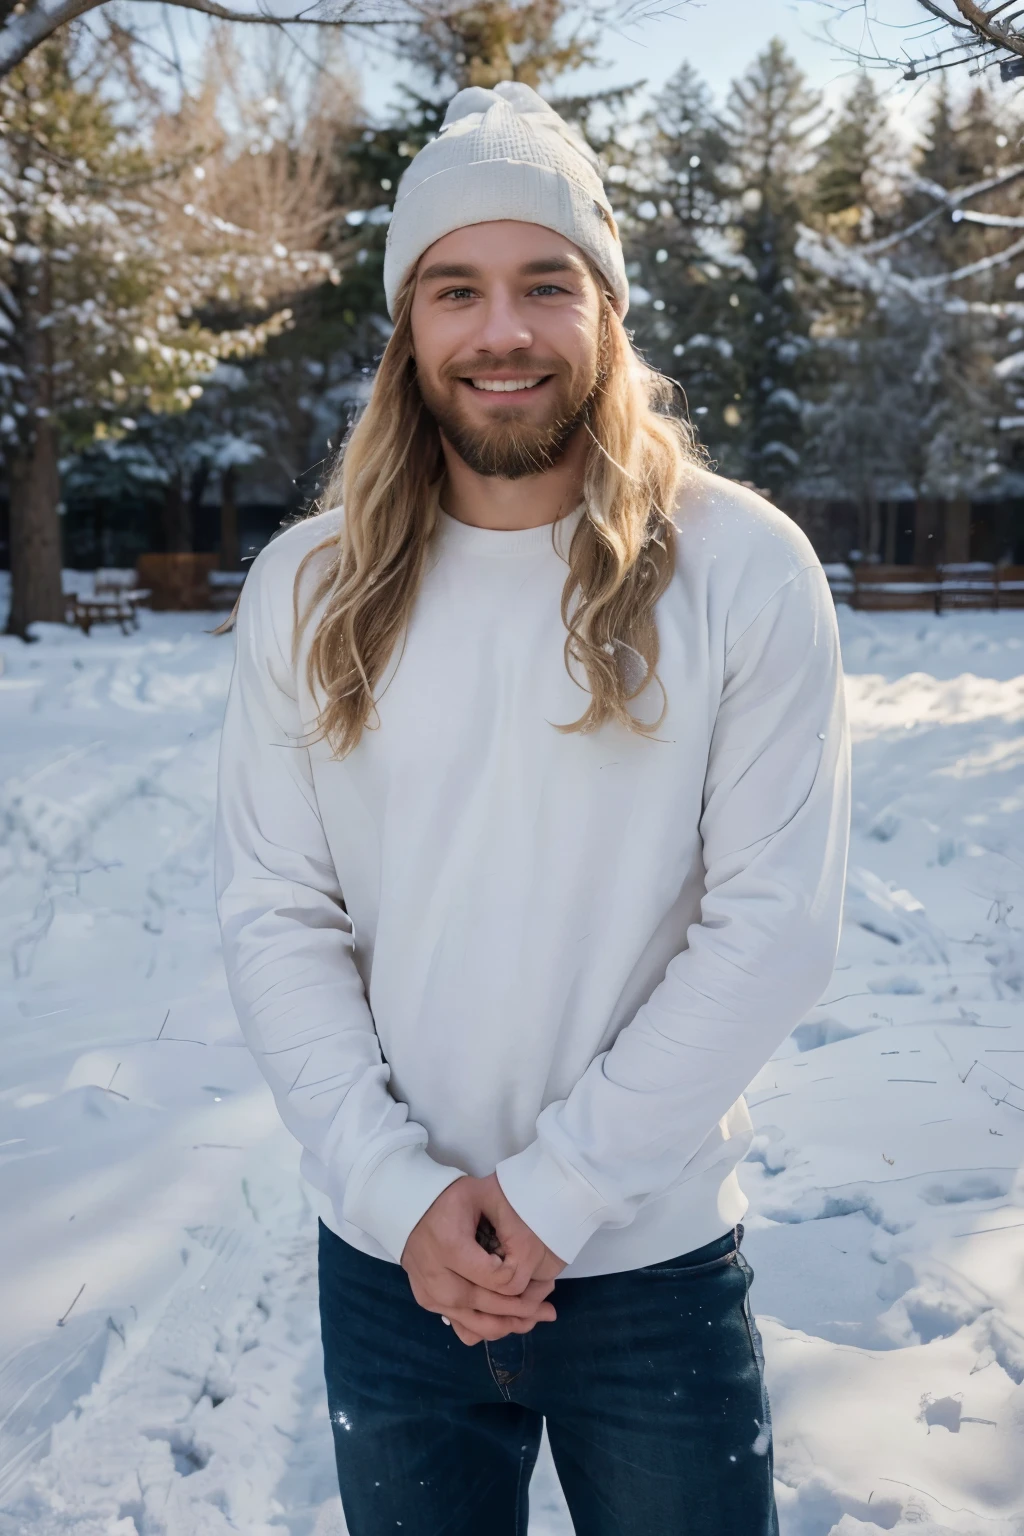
[{"x": 532, "y": 841}]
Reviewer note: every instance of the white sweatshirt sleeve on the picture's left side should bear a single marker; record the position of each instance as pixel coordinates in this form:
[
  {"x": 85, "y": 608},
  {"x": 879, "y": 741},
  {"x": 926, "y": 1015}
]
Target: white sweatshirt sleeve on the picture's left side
[{"x": 289, "y": 950}]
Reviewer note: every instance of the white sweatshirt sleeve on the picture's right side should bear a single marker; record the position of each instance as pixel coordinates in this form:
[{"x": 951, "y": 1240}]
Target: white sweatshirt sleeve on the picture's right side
[{"x": 775, "y": 832}]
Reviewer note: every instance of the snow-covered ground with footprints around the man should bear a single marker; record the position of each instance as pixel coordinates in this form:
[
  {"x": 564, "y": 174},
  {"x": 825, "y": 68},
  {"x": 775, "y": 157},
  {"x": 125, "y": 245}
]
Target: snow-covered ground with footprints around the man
[{"x": 150, "y": 1200}]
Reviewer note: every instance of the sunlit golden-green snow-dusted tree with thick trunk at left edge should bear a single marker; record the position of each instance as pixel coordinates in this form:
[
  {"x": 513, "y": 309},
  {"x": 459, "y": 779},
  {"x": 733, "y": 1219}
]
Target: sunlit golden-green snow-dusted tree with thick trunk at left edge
[{"x": 108, "y": 256}]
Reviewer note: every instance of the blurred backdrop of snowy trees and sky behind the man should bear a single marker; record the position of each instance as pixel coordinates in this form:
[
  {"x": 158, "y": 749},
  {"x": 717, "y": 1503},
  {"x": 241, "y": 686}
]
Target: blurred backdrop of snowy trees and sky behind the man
[{"x": 822, "y": 208}]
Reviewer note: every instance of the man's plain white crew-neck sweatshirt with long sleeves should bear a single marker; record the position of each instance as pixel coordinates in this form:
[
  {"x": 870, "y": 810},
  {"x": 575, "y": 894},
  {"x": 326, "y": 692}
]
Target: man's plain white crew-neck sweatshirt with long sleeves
[{"x": 561, "y": 958}]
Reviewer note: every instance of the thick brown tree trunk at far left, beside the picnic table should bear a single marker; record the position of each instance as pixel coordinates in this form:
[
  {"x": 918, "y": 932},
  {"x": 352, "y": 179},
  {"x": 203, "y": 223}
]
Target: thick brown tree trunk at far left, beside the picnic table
[{"x": 36, "y": 583}]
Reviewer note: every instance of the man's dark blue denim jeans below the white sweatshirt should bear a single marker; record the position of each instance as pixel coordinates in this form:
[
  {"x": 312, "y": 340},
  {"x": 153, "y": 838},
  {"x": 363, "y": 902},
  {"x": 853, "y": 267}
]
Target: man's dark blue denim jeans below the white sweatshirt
[{"x": 652, "y": 1385}]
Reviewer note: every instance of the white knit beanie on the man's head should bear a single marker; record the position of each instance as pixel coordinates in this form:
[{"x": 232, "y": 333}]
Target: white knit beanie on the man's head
[{"x": 503, "y": 154}]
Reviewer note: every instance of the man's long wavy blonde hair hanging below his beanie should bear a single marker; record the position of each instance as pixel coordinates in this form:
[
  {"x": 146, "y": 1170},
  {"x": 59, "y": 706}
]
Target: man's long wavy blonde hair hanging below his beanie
[{"x": 619, "y": 561}]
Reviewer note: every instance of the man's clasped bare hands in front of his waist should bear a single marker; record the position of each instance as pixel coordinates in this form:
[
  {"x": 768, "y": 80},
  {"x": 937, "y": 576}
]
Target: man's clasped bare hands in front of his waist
[{"x": 484, "y": 1296}]
